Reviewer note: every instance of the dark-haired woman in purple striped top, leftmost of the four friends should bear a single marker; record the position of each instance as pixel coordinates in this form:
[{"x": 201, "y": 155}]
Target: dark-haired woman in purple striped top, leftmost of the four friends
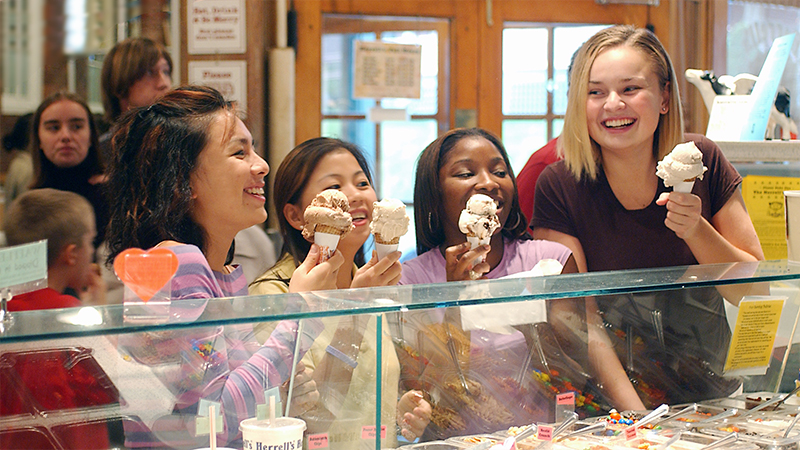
[{"x": 186, "y": 176}]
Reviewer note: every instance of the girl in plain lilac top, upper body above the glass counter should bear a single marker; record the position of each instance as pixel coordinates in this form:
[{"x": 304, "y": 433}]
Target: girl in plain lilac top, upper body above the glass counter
[{"x": 457, "y": 165}]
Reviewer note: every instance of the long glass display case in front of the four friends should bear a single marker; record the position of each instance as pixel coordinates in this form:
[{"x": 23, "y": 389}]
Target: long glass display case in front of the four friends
[{"x": 485, "y": 355}]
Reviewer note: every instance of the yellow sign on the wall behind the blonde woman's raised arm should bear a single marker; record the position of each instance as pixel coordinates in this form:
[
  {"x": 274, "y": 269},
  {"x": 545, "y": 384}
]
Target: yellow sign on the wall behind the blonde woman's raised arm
[{"x": 763, "y": 197}]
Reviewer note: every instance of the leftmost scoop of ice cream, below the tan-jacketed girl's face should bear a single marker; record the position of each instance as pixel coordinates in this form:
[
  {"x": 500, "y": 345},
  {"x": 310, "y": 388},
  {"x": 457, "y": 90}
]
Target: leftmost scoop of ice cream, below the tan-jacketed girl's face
[{"x": 327, "y": 213}]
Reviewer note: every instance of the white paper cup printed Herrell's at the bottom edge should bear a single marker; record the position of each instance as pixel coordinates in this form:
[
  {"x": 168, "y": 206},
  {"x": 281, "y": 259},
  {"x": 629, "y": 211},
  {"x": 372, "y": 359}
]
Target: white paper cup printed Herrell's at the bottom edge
[{"x": 284, "y": 433}]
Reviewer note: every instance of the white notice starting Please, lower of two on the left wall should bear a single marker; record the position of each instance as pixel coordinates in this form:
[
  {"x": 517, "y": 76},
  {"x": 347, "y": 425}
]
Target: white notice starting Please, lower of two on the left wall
[{"x": 228, "y": 77}]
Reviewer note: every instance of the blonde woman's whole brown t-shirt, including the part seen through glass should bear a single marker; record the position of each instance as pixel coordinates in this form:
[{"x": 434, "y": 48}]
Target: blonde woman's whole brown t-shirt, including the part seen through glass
[{"x": 679, "y": 337}]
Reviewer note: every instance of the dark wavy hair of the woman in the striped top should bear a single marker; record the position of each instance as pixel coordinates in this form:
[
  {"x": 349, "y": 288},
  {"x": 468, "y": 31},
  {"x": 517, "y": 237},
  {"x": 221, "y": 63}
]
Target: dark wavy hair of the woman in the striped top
[{"x": 157, "y": 150}]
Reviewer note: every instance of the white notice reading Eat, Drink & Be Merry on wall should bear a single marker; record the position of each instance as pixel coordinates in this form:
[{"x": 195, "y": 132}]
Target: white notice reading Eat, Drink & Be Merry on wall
[{"x": 216, "y": 27}]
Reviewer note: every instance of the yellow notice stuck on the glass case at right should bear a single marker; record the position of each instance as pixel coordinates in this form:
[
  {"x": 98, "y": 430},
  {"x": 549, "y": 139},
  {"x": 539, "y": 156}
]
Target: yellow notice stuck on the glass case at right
[{"x": 754, "y": 336}]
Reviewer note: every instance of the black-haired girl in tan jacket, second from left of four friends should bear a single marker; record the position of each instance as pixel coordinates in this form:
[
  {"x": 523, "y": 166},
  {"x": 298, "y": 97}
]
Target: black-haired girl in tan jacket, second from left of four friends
[{"x": 310, "y": 168}]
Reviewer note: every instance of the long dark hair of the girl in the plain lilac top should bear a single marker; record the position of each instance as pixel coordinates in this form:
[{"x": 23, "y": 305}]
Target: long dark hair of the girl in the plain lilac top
[{"x": 428, "y": 201}]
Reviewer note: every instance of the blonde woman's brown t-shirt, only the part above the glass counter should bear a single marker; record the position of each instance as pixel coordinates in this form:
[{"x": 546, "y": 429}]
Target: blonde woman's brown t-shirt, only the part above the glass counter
[{"x": 615, "y": 238}]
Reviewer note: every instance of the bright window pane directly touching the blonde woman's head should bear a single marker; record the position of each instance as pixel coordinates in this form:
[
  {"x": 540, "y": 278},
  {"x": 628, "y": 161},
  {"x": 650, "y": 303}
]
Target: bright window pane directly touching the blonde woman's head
[{"x": 567, "y": 40}]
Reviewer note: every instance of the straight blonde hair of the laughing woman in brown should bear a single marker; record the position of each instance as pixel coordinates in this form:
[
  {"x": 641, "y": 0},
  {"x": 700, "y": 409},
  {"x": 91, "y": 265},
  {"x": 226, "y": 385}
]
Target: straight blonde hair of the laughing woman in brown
[{"x": 581, "y": 153}]
